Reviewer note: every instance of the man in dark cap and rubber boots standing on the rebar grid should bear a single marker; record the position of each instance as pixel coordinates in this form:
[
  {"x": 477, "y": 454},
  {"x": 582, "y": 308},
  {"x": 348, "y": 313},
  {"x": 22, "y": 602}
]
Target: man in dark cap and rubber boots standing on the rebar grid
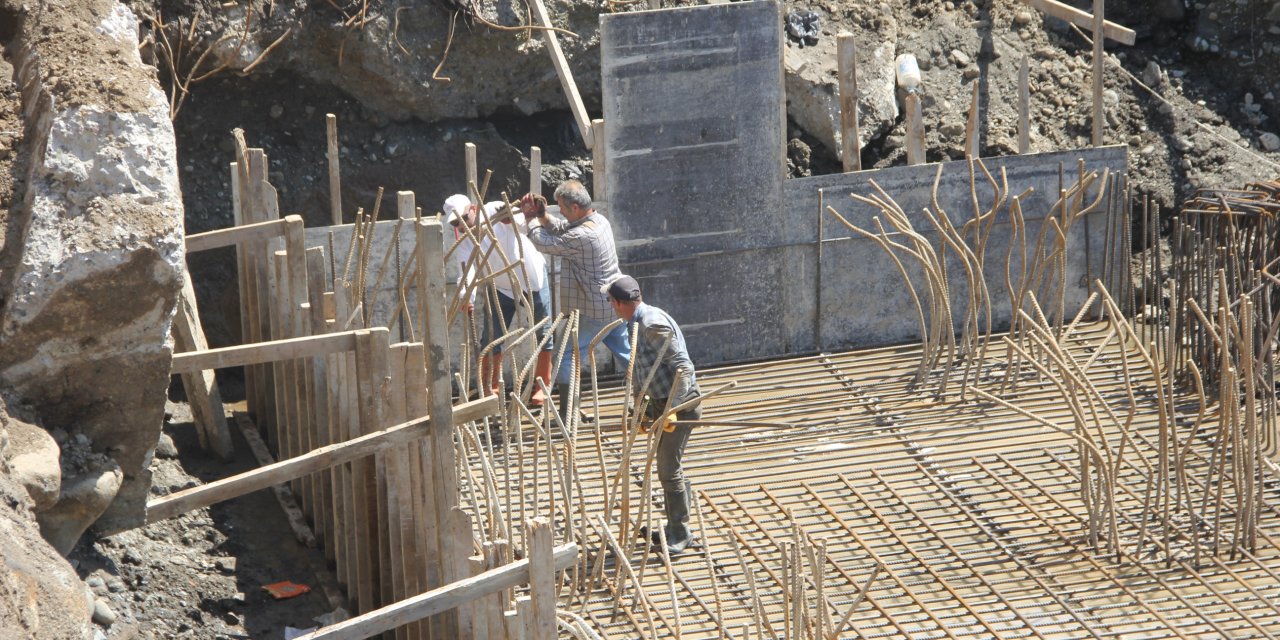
[{"x": 655, "y": 328}]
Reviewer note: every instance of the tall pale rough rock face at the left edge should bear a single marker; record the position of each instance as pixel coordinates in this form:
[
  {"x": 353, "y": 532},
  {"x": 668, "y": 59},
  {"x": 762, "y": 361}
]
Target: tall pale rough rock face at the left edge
[{"x": 86, "y": 326}]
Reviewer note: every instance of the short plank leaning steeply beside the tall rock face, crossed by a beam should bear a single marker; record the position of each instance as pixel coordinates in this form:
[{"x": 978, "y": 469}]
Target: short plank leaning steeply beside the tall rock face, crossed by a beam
[{"x": 202, "y": 387}]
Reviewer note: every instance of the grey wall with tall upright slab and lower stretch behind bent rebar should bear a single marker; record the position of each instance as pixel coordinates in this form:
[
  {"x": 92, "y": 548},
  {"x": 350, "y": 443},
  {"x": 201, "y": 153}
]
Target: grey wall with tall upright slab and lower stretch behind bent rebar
[{"x": 694, "y": 130}]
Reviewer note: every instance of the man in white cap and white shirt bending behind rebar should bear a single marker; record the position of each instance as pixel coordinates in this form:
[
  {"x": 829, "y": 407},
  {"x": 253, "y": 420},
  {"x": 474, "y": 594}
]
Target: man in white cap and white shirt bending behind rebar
[{"x": 525, "y": 285}]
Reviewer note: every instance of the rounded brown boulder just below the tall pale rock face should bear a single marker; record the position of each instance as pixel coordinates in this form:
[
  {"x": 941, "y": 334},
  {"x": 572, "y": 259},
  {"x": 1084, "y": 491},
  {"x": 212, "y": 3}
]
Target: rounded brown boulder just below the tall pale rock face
[{"x": 84, "y": 500}]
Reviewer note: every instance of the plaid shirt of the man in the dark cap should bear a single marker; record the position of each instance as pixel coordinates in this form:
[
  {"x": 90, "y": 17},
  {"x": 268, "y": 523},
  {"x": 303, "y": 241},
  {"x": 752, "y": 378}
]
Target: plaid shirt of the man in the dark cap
[{"x": 653, "y": 328}]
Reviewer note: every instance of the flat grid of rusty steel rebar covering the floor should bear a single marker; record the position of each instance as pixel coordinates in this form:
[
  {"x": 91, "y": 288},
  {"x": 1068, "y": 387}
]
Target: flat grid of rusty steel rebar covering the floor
[{"x": 833, "y": 477}]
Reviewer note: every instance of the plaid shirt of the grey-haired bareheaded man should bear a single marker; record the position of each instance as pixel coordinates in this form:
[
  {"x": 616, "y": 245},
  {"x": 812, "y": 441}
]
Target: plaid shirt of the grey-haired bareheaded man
[{"x": 591, "y": 262}]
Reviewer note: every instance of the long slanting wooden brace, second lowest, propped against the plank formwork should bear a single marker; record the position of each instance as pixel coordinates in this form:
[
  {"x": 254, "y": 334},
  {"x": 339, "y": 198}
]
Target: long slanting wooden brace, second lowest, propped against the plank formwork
[{"x": 324, "y": 458}]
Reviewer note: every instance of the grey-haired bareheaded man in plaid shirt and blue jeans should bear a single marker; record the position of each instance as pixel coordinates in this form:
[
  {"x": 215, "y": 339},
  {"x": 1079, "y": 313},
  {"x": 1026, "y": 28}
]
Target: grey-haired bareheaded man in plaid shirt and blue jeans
[{"x": 584, "y": 241}]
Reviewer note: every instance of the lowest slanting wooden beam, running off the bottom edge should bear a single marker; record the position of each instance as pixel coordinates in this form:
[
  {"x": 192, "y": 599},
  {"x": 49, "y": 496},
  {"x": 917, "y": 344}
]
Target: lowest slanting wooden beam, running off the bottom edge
[{"x": 440, "y": 600}]
